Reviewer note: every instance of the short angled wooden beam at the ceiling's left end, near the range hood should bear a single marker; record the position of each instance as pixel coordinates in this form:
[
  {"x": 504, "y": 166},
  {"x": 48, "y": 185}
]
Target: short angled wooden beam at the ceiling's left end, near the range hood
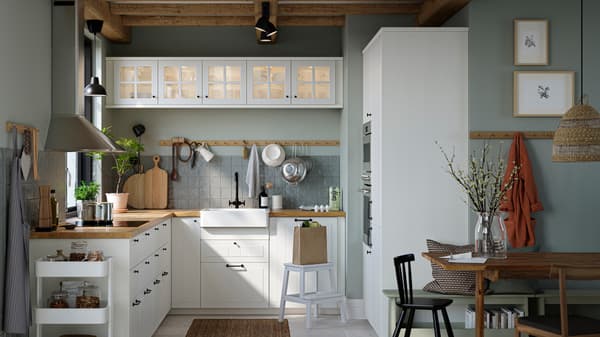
[{"x": 112, "y": 28}]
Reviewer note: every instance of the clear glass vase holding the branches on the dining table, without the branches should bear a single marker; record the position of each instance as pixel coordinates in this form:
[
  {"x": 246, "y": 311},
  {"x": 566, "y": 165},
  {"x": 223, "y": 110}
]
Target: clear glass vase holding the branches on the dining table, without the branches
[{"x": 490, "y": 236}]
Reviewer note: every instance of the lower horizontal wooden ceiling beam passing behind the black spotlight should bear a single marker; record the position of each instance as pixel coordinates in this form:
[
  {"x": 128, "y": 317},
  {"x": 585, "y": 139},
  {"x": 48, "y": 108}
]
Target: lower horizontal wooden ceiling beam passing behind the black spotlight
[{"x": 206, "y": 21}]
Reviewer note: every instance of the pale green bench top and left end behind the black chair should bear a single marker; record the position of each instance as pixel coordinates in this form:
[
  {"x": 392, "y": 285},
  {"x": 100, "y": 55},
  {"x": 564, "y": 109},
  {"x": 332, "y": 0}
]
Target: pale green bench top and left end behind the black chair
[{"x": 521, "y": 300}]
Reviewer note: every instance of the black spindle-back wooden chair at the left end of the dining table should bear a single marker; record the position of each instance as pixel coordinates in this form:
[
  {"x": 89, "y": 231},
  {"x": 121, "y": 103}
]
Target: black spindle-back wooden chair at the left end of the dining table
[{"x": 408, "y": 305}]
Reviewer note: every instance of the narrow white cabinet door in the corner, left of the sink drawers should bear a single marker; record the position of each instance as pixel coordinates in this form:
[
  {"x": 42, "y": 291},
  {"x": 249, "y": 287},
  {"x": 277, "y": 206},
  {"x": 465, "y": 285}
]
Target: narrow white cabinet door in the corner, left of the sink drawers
[{"x": 186, "y": 263}]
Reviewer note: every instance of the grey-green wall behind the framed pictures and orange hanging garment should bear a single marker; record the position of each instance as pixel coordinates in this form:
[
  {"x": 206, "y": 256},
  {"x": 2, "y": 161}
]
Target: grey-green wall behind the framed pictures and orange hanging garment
[{"x": 569, "y": 191}]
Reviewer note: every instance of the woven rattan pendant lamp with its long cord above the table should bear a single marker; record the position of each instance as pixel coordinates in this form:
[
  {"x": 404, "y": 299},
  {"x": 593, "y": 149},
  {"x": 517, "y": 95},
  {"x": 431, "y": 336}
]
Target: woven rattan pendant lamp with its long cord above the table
[{"x": 578, "y": 135}]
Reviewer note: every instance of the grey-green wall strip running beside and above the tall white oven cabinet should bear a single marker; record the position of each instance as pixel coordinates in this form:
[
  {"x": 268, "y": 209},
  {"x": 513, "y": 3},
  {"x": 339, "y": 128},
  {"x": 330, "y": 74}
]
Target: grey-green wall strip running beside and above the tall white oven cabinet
[{"x": 358, "y": 32}]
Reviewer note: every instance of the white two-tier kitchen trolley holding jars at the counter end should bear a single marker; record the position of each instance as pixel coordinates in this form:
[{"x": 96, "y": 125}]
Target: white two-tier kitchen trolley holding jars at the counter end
[{"x": 73, "y": 316}]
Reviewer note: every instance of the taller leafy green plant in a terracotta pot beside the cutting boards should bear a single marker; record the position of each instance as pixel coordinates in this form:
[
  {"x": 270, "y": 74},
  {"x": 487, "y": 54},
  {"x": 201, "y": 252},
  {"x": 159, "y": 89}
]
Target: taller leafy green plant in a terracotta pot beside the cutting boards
[{"x": 123, "y": 163}]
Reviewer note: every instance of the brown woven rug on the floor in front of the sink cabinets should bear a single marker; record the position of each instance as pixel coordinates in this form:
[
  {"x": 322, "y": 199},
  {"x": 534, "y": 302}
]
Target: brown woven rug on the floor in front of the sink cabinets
[{"x": 238, "y": 328}]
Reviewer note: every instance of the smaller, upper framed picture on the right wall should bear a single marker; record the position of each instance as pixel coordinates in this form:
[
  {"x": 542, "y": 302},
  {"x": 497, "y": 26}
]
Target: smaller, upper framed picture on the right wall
[{"x": 531, "y": 42}]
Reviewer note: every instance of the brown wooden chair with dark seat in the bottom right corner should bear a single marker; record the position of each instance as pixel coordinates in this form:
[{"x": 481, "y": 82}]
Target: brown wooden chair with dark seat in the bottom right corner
[{"x": 563, "y": 325}]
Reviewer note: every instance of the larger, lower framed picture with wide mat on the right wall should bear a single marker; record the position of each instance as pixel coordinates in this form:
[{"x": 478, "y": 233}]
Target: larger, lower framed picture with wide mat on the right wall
[{"x": 543, "y": 93}]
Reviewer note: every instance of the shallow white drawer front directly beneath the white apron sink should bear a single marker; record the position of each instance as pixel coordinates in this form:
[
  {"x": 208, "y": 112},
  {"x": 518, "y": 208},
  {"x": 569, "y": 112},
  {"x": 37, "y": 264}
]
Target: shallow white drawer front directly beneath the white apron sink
[{"x": 234, "y": 250}]
